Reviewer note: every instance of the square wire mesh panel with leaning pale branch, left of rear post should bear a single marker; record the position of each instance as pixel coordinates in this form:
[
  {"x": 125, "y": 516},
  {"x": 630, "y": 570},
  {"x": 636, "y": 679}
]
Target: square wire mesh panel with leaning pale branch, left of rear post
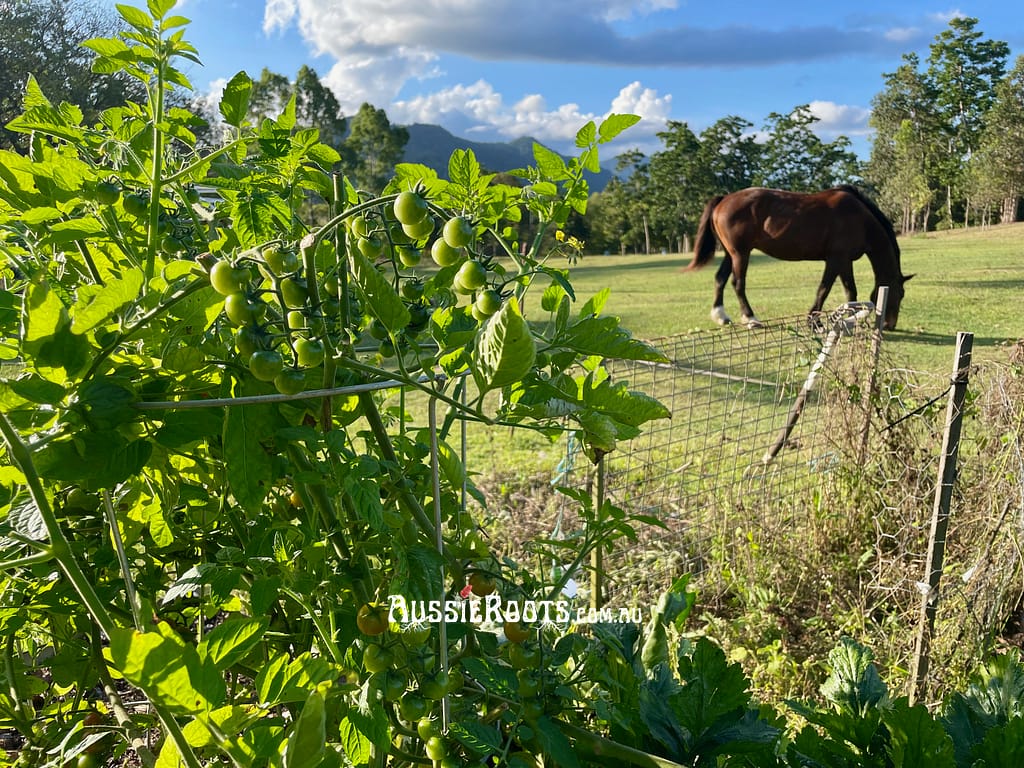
[{"x": 752, "y": 438}]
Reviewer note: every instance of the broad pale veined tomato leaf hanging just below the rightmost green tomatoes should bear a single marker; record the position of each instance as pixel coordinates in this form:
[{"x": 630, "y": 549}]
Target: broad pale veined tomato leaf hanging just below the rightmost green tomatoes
[{"x": 505, "y": 352}]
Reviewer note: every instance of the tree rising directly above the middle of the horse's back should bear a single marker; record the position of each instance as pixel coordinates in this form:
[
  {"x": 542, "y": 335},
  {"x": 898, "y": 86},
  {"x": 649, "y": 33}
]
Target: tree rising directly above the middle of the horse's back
[{"x": 796, "y": 159}]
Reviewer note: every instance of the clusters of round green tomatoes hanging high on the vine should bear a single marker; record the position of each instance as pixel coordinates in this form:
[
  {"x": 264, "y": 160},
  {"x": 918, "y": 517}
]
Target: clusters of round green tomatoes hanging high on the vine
[{"x": 285, "y": 325}]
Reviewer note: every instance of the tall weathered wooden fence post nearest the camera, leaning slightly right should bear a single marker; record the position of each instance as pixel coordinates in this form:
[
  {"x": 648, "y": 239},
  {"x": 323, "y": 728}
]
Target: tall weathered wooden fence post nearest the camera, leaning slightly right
[{"x": 941, "y": 516}]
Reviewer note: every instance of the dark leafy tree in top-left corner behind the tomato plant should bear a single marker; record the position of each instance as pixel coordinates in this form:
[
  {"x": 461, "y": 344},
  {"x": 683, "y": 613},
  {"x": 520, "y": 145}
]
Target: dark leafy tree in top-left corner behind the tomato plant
[{"x": 44, "y": 38}]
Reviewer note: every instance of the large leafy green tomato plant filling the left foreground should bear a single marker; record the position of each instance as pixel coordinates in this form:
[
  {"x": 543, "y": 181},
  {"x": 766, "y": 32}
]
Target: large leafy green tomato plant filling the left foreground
[{"x": 228, "y": 552}]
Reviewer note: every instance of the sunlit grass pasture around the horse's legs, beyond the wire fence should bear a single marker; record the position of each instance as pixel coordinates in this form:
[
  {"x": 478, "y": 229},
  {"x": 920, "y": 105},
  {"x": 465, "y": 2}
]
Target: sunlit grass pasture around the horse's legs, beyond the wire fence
[{"x": 964, "y": 281}]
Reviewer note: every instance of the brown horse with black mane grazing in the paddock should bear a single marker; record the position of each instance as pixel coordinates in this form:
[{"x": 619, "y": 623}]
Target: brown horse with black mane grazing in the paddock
[{"x": 836, "y": 227}]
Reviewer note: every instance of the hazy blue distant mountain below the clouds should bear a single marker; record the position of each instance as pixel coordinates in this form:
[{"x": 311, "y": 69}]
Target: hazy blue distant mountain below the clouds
[{"x": 433, "y": 146}]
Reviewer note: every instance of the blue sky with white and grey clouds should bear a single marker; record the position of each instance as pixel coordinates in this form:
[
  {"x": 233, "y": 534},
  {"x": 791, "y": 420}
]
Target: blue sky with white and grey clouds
[{"x": 496, "y": 70}]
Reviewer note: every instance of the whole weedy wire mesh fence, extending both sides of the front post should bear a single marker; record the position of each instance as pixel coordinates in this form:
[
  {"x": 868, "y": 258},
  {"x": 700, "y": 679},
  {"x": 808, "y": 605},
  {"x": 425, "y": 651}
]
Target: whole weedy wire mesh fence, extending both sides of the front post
[{"x": 837, "y": 508}]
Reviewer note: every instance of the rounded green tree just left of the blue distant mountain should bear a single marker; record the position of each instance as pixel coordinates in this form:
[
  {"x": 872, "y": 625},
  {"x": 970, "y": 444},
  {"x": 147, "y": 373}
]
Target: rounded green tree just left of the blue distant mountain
[{"x": 373, "y": 149}]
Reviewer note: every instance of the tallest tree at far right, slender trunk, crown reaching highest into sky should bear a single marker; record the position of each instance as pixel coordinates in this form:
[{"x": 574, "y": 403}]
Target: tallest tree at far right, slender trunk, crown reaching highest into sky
[{"x": 964, "y": 70}]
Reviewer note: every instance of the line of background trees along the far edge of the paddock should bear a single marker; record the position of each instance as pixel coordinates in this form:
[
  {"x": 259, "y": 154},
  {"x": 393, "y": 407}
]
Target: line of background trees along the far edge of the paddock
[{"x": 948, "y": 147}]
